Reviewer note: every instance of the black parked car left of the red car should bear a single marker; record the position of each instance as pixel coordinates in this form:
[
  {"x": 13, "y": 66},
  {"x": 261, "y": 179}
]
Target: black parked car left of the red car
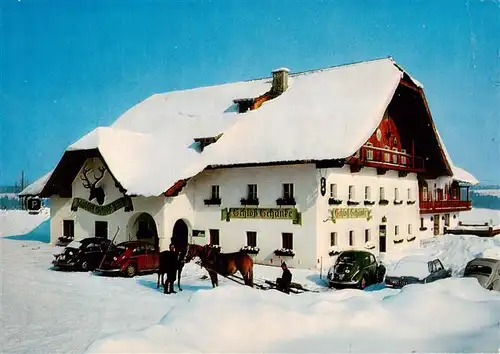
[{"x": 83, "y": 255}]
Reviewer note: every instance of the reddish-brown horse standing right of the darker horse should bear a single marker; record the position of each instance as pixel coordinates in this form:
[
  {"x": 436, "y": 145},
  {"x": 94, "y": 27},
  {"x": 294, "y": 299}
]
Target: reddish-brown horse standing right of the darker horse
[{"x": 227, "y": 264}]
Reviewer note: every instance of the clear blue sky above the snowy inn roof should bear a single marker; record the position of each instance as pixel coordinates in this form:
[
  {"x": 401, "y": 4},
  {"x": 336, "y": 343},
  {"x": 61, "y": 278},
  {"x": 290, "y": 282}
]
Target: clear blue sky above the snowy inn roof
[{"x": 69, "y": 66}]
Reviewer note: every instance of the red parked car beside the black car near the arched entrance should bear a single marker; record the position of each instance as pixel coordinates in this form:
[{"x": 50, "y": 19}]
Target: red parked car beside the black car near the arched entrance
[{"x": 131, "y": 258}]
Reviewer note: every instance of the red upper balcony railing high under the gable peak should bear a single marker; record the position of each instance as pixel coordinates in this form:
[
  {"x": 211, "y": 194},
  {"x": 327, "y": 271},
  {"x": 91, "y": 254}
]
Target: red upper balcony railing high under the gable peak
[{"x": 378, "y": 157}]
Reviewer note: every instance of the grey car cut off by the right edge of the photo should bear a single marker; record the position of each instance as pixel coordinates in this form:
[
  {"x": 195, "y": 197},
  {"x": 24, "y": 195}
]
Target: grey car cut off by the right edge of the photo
[{"x": 486, "y": 271}]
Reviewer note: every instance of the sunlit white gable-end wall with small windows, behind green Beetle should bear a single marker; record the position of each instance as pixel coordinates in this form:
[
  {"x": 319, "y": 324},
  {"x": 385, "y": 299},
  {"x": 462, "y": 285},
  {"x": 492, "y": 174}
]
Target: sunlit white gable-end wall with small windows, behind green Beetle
[{"x": 403, "y": 215}]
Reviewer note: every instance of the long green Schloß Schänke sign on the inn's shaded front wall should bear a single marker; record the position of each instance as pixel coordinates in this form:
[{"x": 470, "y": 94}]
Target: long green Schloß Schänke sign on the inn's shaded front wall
[{"x": 262, "y": 213}]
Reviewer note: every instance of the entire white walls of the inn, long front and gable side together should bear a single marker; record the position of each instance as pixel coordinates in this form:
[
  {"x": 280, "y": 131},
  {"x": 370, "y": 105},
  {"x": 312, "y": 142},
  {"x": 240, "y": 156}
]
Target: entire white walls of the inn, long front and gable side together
[{"x": 313, "y": 239}]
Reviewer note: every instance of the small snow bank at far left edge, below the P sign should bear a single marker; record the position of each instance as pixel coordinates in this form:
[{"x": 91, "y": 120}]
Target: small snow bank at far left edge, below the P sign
[{"x": 19, "y": 222}]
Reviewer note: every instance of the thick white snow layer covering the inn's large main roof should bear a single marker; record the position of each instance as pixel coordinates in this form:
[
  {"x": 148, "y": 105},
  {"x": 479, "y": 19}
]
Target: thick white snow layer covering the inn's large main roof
[{"x": 324, "y": 114}]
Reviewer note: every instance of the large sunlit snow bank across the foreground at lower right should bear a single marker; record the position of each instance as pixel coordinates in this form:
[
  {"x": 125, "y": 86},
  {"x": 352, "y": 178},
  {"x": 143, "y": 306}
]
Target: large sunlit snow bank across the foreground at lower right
[{"x": 238, "y": 319}]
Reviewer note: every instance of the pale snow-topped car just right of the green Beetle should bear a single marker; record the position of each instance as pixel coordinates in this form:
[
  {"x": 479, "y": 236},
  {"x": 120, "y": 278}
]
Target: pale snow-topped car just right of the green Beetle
[{"x": 416, "y": 270}]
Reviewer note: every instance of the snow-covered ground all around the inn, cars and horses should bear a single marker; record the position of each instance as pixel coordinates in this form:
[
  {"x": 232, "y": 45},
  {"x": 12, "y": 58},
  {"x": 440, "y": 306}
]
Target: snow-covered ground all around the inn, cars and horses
[{"x": 44, "y": 311}]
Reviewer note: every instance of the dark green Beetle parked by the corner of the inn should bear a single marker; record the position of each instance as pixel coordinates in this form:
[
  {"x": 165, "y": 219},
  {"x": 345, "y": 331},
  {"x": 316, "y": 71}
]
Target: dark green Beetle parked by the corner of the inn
[{"x": 355, "y": 269}]
